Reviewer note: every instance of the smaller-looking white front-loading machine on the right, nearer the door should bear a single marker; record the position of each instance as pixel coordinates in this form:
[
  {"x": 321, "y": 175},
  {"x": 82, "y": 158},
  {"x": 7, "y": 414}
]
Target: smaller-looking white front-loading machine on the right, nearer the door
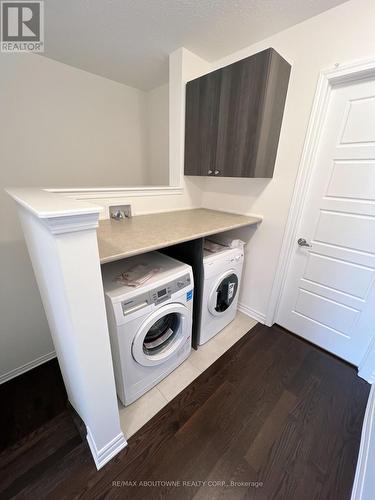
[{"x": 222, "y": 269}]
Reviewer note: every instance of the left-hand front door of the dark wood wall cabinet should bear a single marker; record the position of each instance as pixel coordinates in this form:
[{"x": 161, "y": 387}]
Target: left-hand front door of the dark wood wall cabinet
[{"x": 202, "y": 120}]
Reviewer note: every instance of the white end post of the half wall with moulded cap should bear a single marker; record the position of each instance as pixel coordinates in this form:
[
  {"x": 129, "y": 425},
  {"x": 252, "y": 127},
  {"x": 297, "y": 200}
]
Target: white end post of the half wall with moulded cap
[{"x": 61, "y": 238}]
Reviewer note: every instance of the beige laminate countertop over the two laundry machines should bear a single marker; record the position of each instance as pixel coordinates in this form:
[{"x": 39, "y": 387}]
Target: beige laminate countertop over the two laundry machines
[{"x": 144, "y": 233}]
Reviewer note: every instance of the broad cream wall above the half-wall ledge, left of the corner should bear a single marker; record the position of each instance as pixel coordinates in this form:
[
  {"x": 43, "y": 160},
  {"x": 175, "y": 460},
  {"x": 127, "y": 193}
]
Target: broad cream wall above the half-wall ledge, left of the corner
[{"x": 66, "y": 127}]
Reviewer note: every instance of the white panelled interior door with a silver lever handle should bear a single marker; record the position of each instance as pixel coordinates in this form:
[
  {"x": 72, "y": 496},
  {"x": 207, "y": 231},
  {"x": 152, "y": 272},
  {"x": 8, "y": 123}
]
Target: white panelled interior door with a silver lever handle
[{"x": 329, "y": 293}]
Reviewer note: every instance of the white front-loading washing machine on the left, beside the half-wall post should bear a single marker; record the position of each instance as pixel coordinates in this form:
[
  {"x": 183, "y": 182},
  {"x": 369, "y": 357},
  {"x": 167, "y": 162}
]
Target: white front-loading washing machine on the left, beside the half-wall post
[{"x": 150, "y": 324}]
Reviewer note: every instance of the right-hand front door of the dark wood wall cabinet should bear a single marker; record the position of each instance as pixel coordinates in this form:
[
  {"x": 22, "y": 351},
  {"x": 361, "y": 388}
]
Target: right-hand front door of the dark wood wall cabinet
[{"x": 243, "y": 90}]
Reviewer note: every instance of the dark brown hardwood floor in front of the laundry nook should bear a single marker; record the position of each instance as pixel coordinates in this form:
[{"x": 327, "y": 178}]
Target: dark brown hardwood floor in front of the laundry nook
[{"x": 273, "y": 418}]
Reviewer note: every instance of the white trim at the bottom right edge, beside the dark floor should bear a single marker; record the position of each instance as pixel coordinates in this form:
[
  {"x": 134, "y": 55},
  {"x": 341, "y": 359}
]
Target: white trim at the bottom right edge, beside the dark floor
[{"x": 364, "y": 470}]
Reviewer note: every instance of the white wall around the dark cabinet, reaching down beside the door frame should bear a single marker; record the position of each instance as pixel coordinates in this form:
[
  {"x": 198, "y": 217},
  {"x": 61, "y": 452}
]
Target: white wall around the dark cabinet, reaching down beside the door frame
[{"x": 342, "y": 34}]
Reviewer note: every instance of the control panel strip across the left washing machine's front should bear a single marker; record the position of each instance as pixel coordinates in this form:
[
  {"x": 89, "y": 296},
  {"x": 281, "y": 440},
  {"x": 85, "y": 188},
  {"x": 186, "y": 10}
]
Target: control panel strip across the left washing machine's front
[{"x": 155, "y": 296}]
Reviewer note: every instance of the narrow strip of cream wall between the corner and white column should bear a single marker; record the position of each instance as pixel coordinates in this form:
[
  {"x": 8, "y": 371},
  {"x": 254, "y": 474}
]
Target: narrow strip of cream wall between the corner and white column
[{"x": 158, "y": 135}]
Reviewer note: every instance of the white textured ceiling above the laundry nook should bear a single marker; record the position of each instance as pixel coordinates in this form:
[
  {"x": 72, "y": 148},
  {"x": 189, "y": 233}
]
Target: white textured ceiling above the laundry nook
[{"x": 129, "y": 40}]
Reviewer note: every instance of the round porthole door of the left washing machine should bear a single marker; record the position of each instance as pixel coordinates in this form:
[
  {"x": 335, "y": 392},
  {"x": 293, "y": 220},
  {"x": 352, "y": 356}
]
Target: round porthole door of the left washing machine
[{"x": 161, "y": 335}]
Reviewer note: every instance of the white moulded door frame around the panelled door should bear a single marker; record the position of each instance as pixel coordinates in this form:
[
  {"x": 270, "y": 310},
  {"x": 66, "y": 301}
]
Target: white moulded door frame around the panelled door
[{"x": 328, "y": 79}]
